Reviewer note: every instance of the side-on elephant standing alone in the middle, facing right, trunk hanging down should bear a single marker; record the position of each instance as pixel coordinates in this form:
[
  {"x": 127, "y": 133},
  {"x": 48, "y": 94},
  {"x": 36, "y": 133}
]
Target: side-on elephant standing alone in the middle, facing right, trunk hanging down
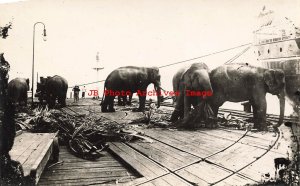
[{"x": 129, "y": 80}]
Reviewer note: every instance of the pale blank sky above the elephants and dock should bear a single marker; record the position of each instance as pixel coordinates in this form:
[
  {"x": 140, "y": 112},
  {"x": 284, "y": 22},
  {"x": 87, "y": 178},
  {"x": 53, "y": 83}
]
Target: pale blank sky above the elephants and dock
[{"x": 127, "y": 32}]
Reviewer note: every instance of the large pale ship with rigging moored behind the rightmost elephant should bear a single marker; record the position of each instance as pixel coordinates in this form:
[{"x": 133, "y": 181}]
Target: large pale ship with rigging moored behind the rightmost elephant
[{"x": 277, "y": 46}]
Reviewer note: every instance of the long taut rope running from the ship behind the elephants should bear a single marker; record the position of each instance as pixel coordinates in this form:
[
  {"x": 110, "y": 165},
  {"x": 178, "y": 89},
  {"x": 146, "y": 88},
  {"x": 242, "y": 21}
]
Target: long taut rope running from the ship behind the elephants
[{"x": 184, "y": 61}]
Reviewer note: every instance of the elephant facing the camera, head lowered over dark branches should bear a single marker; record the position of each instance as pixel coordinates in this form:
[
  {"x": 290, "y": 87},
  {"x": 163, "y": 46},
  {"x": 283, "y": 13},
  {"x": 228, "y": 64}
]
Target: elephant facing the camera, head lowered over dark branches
[{"x": 194, "y": 78}]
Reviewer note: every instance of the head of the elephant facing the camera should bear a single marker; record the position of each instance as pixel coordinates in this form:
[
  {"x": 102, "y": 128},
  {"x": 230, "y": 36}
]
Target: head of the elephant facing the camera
[{"x": 197, "y": 78}]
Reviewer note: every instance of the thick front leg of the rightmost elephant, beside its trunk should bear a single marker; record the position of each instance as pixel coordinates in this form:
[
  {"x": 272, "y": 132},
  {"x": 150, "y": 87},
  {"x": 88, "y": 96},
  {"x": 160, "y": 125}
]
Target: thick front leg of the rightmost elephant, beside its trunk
[{"x": 259, "y": 113}]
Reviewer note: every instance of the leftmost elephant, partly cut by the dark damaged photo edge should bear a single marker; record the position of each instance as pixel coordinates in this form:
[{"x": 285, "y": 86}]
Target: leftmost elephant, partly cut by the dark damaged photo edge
[{"x": 17, "y": 91}]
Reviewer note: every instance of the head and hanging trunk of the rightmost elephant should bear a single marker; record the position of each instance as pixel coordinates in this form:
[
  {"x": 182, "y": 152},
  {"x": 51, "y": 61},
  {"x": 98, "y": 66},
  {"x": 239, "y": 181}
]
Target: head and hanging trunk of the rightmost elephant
[{"x": 275, "y": 83}]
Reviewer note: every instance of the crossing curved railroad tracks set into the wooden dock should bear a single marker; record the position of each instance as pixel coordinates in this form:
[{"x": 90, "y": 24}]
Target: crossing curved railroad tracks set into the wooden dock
[{"x": 199, "y": 158}]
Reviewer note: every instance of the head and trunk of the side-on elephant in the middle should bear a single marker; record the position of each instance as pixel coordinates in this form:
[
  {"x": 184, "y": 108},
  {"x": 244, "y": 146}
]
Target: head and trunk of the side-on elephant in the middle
[{"x": 154, "y": 77}]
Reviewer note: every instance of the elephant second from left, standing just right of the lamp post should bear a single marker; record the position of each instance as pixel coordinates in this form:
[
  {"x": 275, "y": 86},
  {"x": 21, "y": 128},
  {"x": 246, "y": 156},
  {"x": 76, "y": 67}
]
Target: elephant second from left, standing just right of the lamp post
[{"x": 54, "y": 88}]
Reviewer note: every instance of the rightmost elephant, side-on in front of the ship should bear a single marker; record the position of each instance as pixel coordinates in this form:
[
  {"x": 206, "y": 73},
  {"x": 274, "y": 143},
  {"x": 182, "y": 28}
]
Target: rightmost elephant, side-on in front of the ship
[{"x": 242, "y": 82}]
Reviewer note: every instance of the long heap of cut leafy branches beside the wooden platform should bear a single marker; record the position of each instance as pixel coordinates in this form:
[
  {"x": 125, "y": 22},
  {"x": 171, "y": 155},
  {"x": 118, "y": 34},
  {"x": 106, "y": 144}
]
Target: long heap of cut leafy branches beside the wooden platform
[{"x": 85, "y": 135}]
